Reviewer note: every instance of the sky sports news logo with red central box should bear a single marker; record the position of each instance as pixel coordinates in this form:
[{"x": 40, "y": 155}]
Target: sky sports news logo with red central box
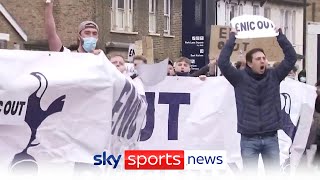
[{"x": 166, "y": 160}]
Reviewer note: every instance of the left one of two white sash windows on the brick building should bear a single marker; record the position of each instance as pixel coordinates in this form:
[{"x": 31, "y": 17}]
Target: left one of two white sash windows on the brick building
[{"x": 121, "y": 15}]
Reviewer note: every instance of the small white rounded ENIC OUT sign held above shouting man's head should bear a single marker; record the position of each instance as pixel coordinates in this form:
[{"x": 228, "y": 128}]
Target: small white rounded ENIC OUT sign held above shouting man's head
[{"x": 253, "y": 26}]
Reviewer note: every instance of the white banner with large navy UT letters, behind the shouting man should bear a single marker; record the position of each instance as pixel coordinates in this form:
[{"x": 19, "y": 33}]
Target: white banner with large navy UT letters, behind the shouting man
[{"x": 187, "y": 113}]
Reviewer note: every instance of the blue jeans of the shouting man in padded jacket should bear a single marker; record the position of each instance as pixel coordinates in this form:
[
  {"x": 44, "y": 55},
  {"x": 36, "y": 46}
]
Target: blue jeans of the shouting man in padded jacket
[{"x": 267, "y": 146}]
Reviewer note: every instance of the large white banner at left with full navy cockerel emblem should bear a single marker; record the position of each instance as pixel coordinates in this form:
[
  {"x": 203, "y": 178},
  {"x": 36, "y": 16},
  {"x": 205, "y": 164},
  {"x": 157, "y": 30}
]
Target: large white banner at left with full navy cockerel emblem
[{"x": 62, "y": 109}]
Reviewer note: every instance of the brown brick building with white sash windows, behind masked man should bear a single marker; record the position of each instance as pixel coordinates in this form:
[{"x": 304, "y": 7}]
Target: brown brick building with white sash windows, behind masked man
[{"x": 121, "y": 22}]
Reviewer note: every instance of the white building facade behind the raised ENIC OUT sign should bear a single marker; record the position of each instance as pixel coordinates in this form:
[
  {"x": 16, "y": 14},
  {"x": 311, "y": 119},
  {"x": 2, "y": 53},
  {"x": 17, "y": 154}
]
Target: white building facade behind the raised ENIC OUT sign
[{"x": 289, "y": 11}]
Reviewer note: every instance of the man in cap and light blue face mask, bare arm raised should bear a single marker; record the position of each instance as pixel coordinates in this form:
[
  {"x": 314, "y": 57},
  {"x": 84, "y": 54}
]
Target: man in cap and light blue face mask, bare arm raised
[{"x": 87, "y": 37}]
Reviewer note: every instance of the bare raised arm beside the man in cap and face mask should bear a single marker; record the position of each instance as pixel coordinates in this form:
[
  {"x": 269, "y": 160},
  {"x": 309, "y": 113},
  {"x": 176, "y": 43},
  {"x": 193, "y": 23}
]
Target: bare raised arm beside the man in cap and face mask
[{"x": 54, "y": 41}]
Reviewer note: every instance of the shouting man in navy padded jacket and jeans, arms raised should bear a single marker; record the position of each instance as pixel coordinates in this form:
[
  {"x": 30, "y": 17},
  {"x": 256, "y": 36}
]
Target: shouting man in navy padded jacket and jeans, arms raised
[{"x": 257, "y": 92}]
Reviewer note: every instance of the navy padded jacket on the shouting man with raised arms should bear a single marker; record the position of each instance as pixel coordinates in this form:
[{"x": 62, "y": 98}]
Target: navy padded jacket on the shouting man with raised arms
[{"x": 257, "y": 96}]
